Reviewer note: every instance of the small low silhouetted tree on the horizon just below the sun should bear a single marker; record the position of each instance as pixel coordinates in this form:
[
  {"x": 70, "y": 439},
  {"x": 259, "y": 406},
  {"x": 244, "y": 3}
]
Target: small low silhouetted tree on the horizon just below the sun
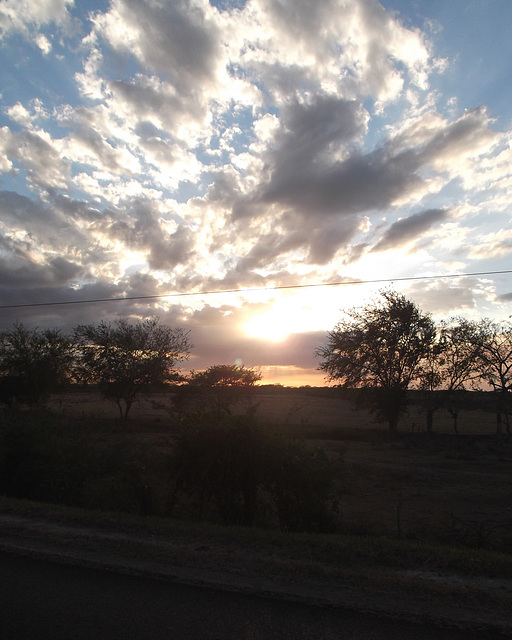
[{"x": 226, "y": 385}]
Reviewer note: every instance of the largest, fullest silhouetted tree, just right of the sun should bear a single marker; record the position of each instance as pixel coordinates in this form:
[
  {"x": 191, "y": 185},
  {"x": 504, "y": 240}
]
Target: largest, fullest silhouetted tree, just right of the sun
[{"x": 379, "y": 348}]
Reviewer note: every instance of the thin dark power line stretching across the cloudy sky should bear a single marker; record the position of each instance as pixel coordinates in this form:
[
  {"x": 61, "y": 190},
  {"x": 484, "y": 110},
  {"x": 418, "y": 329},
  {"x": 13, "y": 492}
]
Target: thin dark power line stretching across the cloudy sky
[{"x": 251, "y": 289}]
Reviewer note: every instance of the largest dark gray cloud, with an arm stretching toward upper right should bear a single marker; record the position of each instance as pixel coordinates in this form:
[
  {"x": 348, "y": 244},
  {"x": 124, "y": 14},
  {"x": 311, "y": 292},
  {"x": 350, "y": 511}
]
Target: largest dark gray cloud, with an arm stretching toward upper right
[{"x": 317, "y": 169}]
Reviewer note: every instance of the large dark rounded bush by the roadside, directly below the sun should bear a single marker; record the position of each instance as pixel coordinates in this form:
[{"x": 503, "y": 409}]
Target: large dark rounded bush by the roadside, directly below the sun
[{"x": 234, "y": 462}]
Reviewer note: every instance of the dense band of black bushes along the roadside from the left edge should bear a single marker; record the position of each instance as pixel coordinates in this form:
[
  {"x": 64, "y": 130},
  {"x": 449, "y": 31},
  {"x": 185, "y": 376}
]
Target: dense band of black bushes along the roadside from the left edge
[{"x": 226, "y": 468}]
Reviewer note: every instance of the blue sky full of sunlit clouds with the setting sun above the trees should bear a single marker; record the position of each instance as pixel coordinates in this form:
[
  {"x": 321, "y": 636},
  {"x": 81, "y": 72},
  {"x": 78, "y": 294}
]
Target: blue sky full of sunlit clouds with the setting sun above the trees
[{"x": 210, "y": 161}]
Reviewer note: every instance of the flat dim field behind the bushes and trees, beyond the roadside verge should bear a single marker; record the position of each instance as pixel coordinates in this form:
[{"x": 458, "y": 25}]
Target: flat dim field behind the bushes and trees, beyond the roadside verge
[{"x": 442, "y": 488}]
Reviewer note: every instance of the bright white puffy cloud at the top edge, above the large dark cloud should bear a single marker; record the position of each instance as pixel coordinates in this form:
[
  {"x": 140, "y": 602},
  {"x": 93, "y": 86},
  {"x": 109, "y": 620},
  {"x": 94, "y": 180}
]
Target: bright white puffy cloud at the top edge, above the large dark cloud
[{"x": 362, "y": 49}]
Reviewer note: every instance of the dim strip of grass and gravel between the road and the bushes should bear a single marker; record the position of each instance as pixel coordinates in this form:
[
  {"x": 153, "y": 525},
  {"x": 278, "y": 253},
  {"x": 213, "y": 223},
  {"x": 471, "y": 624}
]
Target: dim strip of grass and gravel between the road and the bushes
[{"x": 191, "y": 556}]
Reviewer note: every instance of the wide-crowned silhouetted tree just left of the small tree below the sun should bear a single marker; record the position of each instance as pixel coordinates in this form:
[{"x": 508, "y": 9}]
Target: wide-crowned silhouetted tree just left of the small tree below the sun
[{"x": 125, "y": 359}]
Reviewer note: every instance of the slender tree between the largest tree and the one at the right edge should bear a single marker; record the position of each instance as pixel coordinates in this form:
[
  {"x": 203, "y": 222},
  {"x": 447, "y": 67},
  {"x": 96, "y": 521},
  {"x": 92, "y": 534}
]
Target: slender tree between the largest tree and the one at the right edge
[{"x": 450, "y": 363}]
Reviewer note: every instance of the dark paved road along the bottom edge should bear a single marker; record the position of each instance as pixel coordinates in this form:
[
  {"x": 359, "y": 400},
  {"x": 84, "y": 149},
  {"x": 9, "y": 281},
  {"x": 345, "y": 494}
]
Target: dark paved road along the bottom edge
[{"x": 41, "y": 600}]
